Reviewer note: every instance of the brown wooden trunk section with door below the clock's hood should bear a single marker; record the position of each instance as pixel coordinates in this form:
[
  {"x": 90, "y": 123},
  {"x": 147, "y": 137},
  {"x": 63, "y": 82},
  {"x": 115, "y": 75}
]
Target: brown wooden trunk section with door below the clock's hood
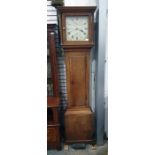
[{"x": 77, "y": 67}]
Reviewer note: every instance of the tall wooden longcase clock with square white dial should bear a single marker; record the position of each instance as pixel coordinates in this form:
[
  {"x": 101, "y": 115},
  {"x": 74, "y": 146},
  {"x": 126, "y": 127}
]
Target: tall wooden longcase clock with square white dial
[{"x": 76, "y": 27}]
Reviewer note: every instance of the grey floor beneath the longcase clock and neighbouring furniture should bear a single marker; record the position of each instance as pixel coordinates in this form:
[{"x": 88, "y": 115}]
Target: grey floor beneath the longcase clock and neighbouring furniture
[{"x": 100, "y": 150}]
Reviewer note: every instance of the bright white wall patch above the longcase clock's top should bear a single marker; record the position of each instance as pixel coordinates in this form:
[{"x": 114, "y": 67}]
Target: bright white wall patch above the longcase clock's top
[{"x": 80, "y": 2}]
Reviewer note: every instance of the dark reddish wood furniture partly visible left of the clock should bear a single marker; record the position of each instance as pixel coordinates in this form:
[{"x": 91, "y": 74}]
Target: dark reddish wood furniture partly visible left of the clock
[{"x": 53, "y": 100}]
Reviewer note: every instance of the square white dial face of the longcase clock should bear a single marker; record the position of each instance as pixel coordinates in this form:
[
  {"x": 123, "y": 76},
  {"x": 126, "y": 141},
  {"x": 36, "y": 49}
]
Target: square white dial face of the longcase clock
[{"x": 77, "y": 28}]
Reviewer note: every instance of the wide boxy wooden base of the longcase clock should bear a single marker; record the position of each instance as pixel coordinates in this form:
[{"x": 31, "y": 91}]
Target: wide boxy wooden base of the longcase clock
[{"x": 78, "y": 125}]
